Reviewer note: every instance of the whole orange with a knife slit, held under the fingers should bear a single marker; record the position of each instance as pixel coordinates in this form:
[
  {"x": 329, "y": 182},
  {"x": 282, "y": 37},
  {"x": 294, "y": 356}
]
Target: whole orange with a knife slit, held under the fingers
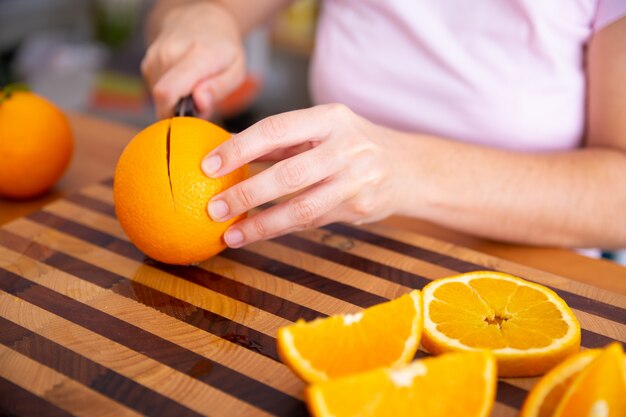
[{"x": 161, "y": 193}]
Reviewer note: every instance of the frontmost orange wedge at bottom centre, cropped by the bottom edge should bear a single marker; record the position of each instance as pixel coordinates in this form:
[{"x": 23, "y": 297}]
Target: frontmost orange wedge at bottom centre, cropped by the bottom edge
[{"x": 457, "y": 384}]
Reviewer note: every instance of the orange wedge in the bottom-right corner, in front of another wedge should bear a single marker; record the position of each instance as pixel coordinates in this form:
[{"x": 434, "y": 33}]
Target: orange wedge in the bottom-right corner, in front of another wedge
[{"x": 599, "y": 390}]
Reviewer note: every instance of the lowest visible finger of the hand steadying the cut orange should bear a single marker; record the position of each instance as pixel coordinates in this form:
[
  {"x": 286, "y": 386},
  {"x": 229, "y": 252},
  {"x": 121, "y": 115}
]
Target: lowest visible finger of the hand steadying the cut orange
[{"x": 307, "y": 210}]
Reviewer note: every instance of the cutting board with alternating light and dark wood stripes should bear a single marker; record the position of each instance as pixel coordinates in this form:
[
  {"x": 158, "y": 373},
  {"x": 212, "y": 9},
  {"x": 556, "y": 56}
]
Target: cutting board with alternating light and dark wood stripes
[{"x": 89, "y": 326}]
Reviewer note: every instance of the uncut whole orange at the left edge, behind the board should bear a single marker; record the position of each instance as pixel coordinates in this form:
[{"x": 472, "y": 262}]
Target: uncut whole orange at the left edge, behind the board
[{"x": 35, "y": 144}]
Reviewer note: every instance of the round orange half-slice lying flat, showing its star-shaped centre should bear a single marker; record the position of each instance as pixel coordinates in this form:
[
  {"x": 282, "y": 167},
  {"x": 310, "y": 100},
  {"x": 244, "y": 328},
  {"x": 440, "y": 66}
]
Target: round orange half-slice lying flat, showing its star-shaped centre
[{"x": 529, "y": 327}]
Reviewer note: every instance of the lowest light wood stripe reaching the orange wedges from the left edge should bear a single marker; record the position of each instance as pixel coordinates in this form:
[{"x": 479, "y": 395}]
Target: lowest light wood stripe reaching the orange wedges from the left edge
[{"x": 212, "y": 347}]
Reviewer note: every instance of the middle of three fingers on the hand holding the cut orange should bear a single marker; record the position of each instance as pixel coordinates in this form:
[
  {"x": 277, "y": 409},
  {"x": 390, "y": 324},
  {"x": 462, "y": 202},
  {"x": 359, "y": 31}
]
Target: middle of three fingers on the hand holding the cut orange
[{"x": 281, "y": 179}]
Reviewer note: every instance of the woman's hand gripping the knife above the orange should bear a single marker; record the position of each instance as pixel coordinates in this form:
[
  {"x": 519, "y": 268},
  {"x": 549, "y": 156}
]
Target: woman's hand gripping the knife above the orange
[{"x": 198, "y": 50}]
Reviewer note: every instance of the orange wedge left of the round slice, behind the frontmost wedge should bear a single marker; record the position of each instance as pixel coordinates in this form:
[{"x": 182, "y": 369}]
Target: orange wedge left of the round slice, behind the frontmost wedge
[{"x": 383, "y": 335}]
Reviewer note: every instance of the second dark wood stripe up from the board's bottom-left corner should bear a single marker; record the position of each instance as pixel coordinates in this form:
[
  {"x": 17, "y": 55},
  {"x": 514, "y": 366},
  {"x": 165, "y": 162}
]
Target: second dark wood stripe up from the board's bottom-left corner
[{"x": 89, "y": 373}]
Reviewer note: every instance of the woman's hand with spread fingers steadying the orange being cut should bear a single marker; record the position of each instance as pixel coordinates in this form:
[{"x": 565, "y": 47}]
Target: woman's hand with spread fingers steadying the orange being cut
[{"x": 345, "y": 168}]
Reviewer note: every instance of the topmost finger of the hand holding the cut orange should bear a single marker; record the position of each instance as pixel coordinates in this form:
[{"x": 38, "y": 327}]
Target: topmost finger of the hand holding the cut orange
[{"x": 275, "y": 132}]
